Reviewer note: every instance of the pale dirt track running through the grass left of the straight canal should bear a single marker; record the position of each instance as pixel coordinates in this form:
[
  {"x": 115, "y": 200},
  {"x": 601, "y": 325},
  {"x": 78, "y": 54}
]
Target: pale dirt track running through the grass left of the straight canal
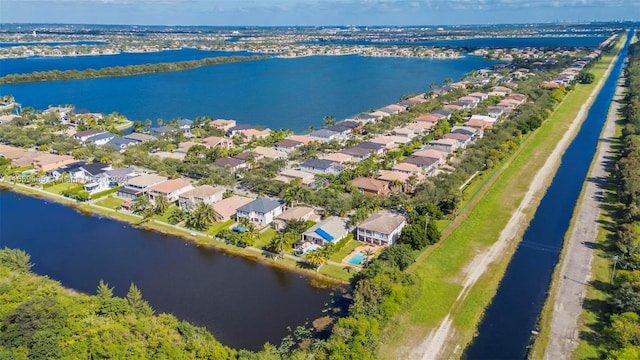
[{"x": 433, "y": 345}]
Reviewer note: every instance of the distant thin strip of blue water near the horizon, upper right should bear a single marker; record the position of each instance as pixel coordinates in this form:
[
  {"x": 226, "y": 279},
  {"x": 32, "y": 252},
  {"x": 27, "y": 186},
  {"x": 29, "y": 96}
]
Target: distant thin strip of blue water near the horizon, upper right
[{"x": 521, "y": 42}]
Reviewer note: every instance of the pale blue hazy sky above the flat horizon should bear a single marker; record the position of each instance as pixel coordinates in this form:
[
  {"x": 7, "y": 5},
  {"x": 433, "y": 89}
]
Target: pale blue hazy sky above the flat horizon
[{"x": 314, "y": 12}]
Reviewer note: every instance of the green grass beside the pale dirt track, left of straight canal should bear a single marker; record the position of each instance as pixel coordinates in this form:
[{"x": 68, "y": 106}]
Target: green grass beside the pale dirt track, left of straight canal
[{"x": 441, "y": 268}]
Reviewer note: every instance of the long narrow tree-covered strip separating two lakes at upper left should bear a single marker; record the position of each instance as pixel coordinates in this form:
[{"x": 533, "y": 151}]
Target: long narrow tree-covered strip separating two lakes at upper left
[{"x": 54, "y": 75}]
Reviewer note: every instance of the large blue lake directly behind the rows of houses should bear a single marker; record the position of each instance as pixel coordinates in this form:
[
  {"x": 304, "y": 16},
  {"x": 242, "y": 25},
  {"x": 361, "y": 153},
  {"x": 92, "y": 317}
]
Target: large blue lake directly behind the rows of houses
[{"x": 276, "y": 93}]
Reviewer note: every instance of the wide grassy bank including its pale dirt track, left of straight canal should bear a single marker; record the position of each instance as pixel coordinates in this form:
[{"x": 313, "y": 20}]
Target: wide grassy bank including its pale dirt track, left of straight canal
[{"x": 464, "y": 258}]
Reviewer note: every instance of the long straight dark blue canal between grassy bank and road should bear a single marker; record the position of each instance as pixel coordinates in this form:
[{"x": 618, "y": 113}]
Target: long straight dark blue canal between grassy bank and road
[{"x": 505, "y": 330}]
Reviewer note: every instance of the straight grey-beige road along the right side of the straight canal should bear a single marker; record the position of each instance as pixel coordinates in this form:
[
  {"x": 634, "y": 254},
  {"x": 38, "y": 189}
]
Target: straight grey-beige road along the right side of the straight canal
[{"x": 576, "y": 267}]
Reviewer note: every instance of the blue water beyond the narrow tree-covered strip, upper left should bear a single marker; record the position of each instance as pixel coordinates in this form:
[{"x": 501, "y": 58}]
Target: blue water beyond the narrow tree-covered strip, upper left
[{"x": 46, "y": 63}]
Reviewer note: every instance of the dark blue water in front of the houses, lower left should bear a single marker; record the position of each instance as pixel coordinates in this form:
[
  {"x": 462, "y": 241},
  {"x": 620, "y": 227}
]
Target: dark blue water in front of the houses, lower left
[{"x": 242, "y": 302}]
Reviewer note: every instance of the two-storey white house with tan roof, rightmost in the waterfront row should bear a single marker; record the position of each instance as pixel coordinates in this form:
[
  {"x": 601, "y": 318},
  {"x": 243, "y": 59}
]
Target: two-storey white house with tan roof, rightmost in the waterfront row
[{"x": 381, "y": 228}]
